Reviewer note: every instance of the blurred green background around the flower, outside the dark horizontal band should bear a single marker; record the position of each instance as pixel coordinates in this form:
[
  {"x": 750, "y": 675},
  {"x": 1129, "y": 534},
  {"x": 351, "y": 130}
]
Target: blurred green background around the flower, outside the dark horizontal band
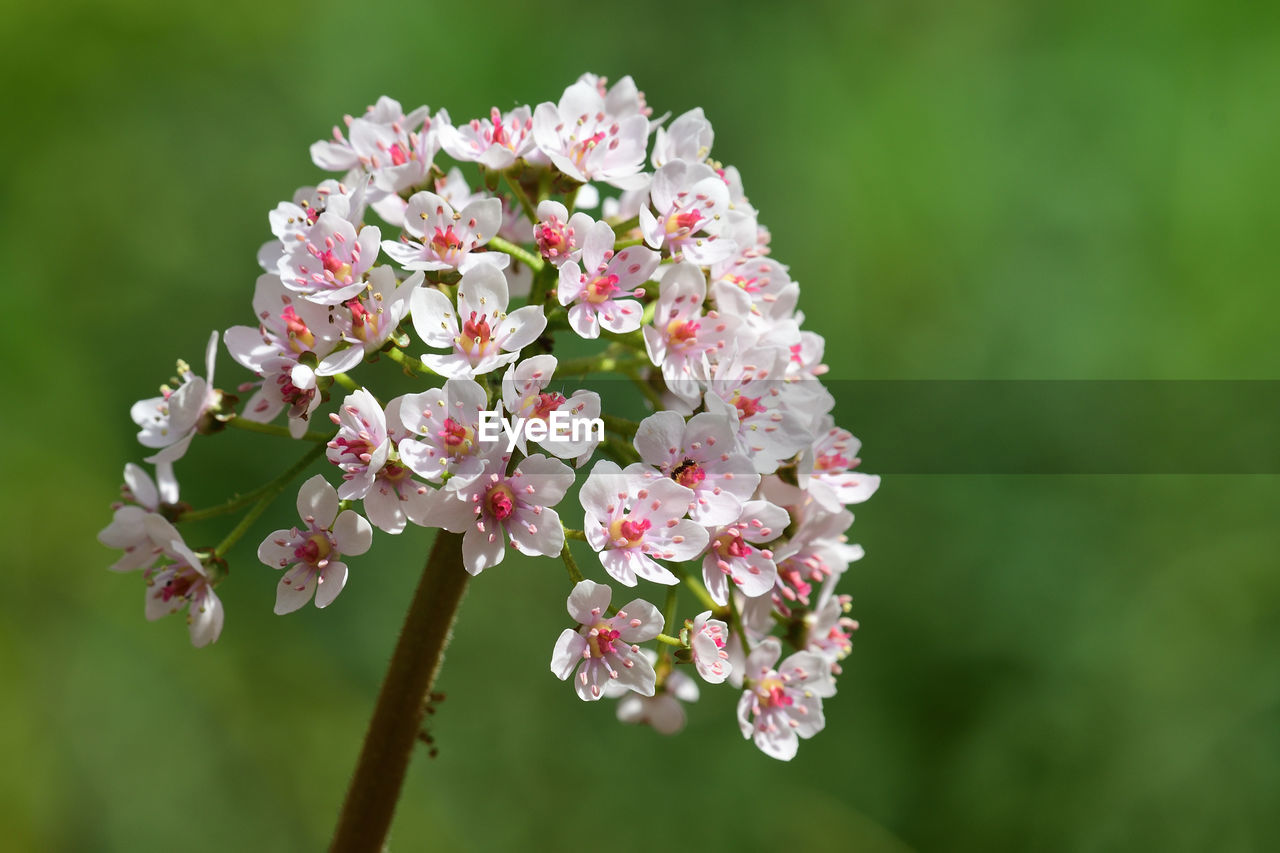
[{"x": 990, "y": 190}]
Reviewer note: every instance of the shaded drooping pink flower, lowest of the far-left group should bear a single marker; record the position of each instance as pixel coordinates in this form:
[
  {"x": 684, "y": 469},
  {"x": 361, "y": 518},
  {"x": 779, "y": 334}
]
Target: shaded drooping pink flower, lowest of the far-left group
[{"x": 182, "y": 583}]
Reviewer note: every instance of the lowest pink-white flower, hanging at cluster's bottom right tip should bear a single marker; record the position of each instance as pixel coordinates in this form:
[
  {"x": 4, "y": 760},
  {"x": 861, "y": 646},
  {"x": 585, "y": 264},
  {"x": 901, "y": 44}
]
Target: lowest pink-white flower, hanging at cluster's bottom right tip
[{"x": 783, "y": 705}]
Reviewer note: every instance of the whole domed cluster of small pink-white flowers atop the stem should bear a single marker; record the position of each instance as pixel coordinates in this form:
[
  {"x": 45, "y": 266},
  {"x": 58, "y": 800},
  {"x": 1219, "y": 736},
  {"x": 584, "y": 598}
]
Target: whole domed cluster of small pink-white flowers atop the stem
[{"x": 580, "y": 221}]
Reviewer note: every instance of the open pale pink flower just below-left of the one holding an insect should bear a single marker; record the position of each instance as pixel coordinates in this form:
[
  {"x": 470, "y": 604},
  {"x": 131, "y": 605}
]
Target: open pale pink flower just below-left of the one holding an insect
[{"x": 633, "y": 523}]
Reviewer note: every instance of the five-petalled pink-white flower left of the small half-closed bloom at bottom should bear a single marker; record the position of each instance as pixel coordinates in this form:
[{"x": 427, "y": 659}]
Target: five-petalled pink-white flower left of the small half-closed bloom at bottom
[{"x": 605, "y": 649}]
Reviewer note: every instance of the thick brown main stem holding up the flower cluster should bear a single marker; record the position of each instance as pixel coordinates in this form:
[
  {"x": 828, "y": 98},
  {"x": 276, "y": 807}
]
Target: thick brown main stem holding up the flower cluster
[{"x": 394, "y": 731}]
